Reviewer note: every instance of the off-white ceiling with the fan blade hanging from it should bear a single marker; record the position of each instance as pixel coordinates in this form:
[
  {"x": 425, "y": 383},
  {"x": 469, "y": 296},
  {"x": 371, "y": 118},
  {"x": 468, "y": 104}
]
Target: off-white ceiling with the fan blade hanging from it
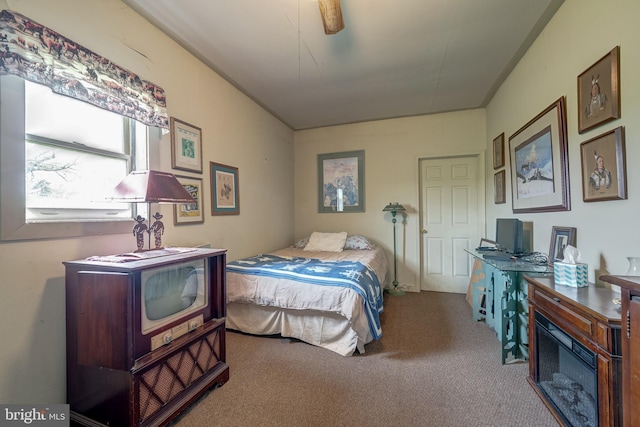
[{"x": 395, "y": 58}]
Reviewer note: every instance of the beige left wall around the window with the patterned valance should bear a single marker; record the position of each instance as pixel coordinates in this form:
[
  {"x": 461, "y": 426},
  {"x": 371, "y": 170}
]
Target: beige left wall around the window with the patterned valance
[{"x": 235, "y": 132}]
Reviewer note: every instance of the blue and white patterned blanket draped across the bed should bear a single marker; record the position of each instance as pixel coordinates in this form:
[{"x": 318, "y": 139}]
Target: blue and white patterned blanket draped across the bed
[{"x": 350, "y": 274}]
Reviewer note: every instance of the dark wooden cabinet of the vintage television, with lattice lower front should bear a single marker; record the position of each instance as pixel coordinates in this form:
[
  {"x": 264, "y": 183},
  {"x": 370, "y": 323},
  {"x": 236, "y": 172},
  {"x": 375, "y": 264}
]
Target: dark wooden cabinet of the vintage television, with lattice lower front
[{"x": 117, "y": 375}]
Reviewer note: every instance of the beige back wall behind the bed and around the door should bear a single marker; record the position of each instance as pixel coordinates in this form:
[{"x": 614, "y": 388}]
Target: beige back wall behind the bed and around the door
[{"x": 392, "y": 151}]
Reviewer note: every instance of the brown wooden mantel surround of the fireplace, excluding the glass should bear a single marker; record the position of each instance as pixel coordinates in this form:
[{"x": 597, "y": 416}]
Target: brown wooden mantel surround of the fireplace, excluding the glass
[{"x": 589, "y": 316}]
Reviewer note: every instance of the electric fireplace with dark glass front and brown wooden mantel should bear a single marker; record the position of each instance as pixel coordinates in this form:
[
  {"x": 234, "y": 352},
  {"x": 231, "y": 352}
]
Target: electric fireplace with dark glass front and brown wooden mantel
[{"x": 575, "y": 364}]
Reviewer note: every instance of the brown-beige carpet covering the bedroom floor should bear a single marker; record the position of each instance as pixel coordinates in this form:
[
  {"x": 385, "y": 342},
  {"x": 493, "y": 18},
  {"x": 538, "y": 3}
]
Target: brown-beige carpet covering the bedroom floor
[{"x": 434, "y": 366}]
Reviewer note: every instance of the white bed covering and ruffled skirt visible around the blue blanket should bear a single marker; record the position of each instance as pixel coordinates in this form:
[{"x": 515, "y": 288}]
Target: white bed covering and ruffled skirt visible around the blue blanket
[{"x": 325, "y": 316}]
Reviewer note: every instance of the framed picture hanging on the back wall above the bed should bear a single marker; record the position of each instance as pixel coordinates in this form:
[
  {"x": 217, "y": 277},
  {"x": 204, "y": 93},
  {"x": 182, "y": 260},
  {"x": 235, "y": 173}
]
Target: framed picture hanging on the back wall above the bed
[{"x": 341, "y": 182}]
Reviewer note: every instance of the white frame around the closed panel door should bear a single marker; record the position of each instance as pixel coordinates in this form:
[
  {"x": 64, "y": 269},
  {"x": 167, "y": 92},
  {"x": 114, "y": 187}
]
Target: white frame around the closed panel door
[{"x": 482, "y": 210}]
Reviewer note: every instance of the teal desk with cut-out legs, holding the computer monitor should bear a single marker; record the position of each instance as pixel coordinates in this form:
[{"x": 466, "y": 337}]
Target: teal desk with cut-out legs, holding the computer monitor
[{"x": 499, "y": 298}]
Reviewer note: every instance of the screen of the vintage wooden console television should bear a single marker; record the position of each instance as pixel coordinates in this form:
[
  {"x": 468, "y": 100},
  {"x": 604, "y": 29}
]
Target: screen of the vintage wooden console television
[{"x": 169, "y": 291}]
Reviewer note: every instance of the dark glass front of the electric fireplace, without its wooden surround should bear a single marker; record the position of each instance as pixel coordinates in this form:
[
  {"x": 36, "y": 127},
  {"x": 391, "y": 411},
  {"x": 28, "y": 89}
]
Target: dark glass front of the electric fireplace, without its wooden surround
[{"x": 566, "y": 374}]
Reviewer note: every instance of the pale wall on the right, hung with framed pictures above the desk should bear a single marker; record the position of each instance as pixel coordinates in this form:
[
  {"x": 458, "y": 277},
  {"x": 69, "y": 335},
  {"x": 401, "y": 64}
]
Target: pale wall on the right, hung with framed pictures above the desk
[{"x": 580, "y": 33}]
